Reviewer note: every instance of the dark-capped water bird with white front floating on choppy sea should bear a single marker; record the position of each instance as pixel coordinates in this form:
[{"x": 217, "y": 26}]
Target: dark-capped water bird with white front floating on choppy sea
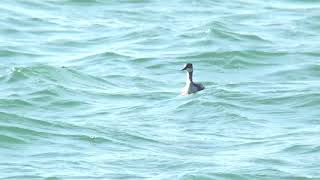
[{"x": 190, "y": 87}]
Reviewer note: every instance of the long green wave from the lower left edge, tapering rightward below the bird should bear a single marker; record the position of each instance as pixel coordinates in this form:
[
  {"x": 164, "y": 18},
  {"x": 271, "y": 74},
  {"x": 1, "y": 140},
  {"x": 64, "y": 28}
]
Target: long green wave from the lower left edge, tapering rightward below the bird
[{"x": 19, "y": 129}]
